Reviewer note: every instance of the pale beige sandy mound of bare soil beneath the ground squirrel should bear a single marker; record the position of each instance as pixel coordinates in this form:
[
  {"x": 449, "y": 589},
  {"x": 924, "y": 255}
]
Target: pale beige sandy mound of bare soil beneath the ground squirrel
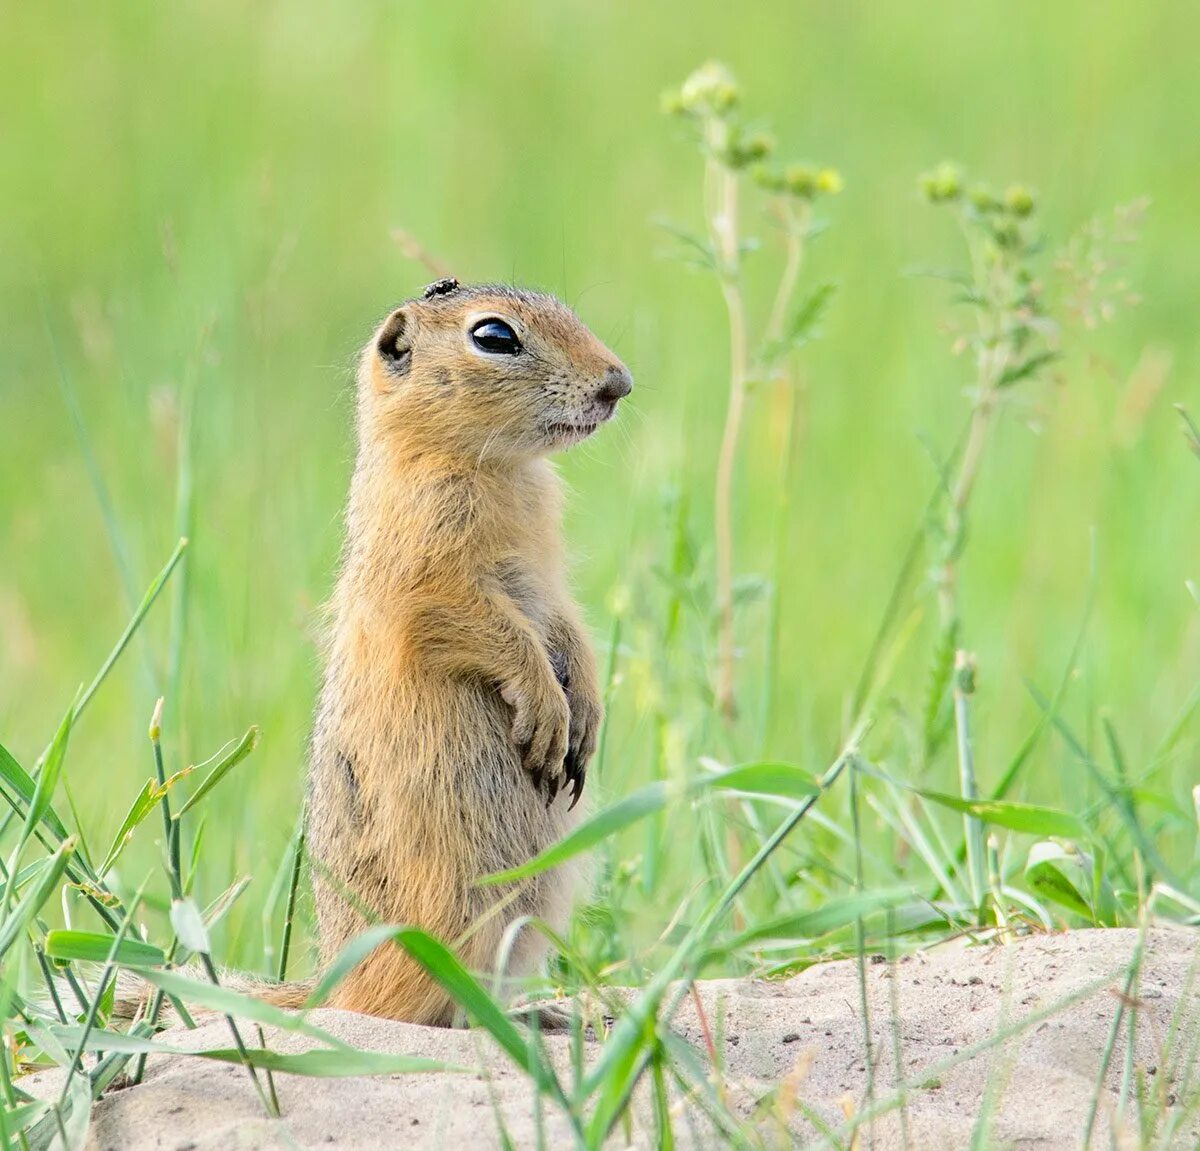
[{"x": 807, "y": 1030}]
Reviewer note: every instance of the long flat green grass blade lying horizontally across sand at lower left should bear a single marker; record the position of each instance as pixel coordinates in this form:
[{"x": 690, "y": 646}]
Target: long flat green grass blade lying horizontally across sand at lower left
[{"x": 325, "y": 1064}]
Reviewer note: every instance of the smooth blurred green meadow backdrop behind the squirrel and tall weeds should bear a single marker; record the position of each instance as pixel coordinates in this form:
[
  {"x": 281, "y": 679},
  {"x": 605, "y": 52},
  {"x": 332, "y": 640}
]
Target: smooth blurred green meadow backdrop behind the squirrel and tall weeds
[{"x": 202, "y": 196}]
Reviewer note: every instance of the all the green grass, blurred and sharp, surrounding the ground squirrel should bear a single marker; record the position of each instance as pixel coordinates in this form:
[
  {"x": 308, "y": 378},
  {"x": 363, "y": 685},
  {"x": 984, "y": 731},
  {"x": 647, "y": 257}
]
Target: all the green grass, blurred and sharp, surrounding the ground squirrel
[{"x": 982, "y": 624}]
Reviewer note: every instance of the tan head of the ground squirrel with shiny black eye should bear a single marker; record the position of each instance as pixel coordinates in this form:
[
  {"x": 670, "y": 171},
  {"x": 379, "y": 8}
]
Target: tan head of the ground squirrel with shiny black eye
[{"x": 489, "y": 373}]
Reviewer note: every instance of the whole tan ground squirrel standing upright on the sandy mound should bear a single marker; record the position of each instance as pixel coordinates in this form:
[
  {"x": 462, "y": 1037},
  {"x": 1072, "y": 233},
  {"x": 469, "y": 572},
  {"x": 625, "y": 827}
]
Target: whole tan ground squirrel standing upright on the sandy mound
[{"x": 460, "y": 704}]
